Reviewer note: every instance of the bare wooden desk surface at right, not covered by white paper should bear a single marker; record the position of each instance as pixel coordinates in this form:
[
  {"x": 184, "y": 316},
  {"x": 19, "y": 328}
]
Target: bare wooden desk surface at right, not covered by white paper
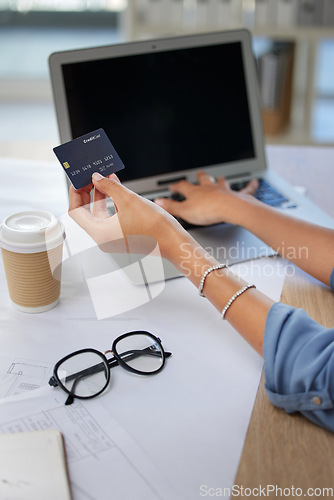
[{"x": 281, "y": 449}]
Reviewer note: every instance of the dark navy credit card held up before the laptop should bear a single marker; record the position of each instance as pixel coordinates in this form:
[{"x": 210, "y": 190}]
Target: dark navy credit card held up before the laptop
[{"x": 89, "y": 153}]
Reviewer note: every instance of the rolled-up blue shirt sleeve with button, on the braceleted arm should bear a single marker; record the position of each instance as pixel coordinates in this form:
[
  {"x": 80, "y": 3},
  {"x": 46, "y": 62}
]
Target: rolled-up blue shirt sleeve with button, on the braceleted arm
[{"x": 299, "y": 364}]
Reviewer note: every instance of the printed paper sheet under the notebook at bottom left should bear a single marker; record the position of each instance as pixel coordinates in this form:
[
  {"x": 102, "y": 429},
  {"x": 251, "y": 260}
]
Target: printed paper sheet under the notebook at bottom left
[{"x": 101, "y": 456}]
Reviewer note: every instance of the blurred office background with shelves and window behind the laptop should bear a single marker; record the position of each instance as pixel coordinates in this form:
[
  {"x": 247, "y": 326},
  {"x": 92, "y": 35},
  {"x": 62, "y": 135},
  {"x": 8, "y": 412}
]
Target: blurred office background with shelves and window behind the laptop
[{"x": 293, "y": 44}]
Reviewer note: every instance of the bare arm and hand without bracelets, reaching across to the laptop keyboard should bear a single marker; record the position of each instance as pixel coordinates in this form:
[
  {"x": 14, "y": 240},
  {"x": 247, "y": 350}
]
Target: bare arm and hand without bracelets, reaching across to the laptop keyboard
[{"x": 309, "y": 246}]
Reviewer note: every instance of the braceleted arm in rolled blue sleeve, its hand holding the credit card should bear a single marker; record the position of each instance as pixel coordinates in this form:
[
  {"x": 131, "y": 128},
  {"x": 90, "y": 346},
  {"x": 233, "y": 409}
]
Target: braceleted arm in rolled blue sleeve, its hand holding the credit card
[{"x": 298, "y": 353}]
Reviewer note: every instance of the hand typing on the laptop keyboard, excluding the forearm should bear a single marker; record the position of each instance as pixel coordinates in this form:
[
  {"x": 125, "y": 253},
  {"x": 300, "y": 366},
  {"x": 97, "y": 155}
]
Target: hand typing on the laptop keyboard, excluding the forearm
[{"x": 208, "y": 202}]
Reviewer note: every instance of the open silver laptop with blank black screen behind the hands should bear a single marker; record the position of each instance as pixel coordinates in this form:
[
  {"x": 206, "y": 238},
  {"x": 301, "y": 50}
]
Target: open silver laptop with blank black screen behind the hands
[{"x": 173, "y": 106}]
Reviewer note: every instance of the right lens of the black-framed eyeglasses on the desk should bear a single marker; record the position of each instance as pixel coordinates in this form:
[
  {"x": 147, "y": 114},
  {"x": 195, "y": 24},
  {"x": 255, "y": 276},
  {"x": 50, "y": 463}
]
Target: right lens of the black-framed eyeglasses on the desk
[{"x": 140, "y": 352}]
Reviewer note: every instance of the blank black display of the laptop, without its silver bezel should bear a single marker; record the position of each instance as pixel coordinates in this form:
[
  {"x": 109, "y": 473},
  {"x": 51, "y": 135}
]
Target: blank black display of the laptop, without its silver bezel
[{"x": 165, "y": 111}]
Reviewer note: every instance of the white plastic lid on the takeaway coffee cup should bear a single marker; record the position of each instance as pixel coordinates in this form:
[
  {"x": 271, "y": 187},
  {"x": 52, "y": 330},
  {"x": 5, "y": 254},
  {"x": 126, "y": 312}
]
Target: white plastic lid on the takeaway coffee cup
[{"x": 31, "y": 231}]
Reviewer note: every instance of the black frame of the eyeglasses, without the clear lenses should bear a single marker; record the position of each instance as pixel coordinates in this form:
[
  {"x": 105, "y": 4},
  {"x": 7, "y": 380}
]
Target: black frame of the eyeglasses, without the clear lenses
[{"x": 107, "y": 363}]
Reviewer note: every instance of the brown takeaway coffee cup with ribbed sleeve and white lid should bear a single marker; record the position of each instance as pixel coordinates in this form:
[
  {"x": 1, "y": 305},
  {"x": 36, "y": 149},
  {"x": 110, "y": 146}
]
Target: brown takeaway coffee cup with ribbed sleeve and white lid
[{"x": 31, "y": 247}]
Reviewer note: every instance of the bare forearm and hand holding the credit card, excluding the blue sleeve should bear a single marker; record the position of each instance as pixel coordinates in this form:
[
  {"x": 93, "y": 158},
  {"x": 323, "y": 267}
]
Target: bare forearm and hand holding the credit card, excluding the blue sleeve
[{"x": 137, "y": 216}]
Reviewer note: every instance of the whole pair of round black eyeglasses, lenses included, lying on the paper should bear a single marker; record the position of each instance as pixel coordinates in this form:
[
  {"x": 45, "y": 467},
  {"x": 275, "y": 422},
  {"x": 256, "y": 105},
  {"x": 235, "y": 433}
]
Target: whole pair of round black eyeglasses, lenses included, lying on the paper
[{"x": 85, "y": 374}]
